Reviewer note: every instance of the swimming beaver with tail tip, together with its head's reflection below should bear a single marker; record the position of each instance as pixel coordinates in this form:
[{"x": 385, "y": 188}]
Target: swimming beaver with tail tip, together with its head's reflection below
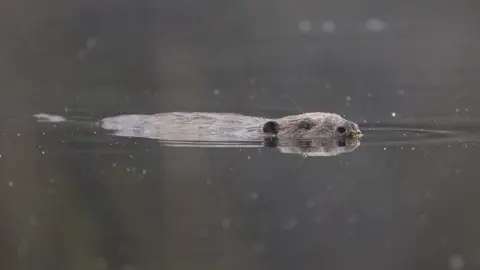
[{"x": 312, "y": 134}]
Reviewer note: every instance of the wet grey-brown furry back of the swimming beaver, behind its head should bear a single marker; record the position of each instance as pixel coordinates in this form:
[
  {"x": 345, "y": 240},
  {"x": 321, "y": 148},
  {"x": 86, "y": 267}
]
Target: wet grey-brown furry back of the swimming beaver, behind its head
[{"x": 186, "y": 126}]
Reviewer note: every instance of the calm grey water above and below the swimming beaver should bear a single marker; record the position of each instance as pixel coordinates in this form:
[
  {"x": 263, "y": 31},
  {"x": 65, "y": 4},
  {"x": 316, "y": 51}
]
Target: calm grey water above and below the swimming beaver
[{"x": 75, "y": 199}]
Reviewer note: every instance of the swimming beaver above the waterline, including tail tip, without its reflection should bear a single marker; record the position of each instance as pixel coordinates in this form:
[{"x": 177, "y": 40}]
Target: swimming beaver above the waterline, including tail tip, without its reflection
[{"x": 197, "y": 126}]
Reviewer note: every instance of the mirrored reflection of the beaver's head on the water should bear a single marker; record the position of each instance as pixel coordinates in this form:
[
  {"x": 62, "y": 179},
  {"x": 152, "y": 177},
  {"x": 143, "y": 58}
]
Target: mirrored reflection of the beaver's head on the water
[{"x": 313, "y": 147}]
